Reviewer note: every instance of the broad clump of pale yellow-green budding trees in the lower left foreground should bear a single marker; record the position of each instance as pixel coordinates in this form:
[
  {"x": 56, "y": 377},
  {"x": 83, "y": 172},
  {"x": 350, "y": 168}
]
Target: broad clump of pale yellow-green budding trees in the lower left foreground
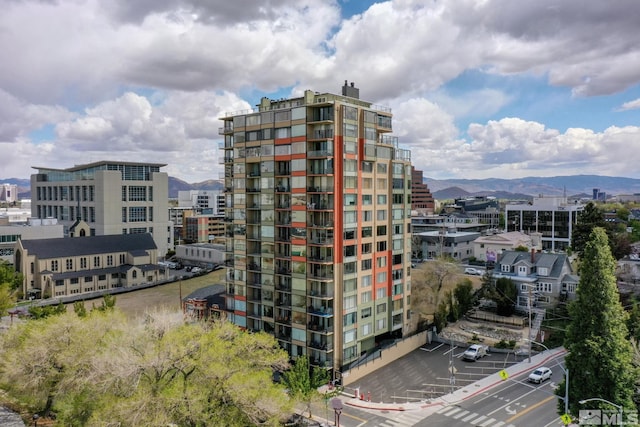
[{"x": 105, "y": 369}]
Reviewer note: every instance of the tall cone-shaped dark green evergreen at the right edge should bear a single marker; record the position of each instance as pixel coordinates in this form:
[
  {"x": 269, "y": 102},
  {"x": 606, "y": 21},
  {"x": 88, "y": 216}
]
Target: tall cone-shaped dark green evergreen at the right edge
[{"x": 600, "y": 356}]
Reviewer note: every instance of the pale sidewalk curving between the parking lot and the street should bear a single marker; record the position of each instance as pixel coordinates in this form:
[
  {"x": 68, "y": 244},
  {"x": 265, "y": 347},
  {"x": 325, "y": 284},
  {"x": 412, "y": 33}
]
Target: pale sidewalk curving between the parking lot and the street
[{"x": 463, "y": 393}]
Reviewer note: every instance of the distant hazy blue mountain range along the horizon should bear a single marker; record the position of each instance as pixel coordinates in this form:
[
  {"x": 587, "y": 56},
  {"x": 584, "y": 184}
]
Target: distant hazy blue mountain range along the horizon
[{"x": 517, "y": 188}]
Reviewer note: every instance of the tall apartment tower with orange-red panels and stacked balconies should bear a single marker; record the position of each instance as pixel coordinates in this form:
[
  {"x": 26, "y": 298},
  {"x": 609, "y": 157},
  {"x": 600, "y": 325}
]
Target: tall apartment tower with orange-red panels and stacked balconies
[{"x": 318, "y": 231}]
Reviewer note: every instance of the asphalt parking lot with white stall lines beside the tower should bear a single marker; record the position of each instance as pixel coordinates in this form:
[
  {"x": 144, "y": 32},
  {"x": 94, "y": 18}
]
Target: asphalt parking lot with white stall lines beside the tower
[{"x": 425, "y": 373}]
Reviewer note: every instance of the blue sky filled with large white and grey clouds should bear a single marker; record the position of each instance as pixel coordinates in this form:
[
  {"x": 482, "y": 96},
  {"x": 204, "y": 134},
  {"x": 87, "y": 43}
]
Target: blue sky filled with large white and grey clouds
[{"x": 478, "y": 89}]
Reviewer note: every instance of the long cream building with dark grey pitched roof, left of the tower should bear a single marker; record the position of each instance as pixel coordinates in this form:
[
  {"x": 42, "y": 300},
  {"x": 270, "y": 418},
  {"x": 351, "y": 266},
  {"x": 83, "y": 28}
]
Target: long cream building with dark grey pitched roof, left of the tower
[{"x": 71, "y": 266}]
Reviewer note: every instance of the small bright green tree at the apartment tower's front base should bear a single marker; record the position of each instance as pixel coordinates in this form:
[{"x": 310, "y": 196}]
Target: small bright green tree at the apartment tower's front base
[{"x": 303, "y": 382}]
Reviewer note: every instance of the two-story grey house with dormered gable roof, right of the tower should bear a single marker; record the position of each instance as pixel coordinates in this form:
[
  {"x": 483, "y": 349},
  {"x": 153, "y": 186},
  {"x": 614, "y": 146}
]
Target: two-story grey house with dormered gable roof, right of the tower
[{"x": 547, "y": 277}]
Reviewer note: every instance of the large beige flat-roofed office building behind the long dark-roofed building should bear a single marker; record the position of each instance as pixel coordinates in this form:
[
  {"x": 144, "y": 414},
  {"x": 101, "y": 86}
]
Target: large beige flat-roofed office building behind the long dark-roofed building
[{"x": 111, "y": 197}]
